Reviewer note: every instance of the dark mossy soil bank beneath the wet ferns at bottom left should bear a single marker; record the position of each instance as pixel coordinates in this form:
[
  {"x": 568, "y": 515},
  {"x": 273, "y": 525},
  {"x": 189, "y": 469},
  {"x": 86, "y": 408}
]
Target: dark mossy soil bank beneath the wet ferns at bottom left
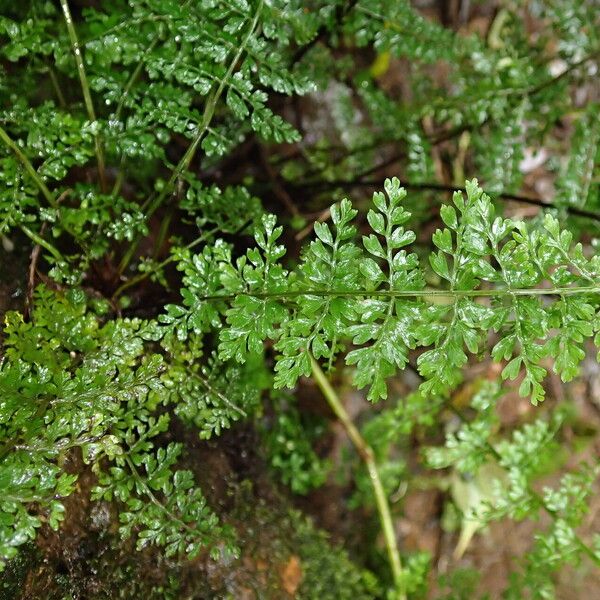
[{"x": 283, "y": 556}]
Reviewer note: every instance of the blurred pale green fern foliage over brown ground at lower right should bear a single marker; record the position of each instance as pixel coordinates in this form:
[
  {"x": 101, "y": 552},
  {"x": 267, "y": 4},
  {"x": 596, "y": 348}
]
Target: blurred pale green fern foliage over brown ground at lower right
[{"x": 519, "y": 461}]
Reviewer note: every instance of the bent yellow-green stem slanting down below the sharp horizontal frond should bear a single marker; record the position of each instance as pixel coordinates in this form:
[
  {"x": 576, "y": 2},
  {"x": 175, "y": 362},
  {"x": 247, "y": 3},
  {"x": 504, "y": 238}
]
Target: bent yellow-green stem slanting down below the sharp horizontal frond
[{"x": 366, "y": 453}]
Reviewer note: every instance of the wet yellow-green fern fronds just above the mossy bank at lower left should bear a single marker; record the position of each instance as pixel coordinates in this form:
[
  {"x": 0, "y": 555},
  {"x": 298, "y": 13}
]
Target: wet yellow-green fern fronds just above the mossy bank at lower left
[{"x": 70, "y": 383}]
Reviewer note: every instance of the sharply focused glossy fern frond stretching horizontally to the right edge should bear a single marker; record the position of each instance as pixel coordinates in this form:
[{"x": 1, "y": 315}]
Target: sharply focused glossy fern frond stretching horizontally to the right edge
[{"x": 381, "y": 305}]
